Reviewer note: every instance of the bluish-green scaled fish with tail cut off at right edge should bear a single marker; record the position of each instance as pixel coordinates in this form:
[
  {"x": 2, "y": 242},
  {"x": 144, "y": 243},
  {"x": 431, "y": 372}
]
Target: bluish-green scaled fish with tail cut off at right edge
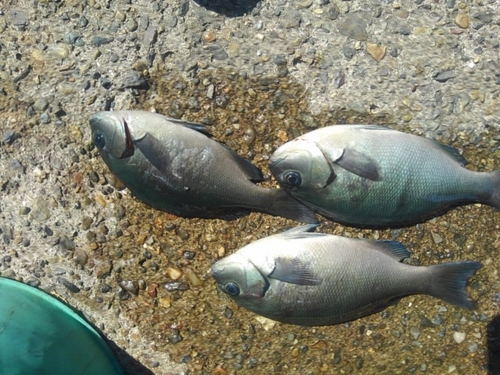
[{"x": 370, "y": 176}]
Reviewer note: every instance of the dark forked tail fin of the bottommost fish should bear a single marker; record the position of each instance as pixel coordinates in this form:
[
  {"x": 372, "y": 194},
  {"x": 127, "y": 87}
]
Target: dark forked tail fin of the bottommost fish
[{"x": 450, "y": 280}]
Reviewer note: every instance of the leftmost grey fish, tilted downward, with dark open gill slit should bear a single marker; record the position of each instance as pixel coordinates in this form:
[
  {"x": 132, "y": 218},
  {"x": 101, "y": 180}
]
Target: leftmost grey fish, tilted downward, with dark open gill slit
[{"x": 174, "y": 166}]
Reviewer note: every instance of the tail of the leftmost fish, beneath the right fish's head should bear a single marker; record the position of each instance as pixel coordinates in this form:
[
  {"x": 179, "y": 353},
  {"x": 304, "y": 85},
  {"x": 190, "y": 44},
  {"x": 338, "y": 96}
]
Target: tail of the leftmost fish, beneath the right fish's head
[{"x": 283, "y": 204}]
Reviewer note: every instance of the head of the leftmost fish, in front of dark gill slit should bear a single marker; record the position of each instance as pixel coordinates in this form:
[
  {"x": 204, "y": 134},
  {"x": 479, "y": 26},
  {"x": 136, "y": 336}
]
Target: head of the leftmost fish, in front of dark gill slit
[{"x": 111, "y": 134}]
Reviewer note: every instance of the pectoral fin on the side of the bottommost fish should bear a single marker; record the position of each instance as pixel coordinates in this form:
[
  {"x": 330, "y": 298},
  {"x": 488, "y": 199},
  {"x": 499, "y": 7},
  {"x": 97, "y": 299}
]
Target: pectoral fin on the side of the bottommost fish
[{"x": 294, "y": 271}]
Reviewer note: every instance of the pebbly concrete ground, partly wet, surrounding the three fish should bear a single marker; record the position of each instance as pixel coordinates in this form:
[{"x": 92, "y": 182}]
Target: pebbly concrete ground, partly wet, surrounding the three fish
[{"x": 257, "y": 73}]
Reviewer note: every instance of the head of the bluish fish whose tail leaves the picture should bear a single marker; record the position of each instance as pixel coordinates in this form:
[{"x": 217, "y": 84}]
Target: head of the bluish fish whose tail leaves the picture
[{"x": 300, "y": 165}]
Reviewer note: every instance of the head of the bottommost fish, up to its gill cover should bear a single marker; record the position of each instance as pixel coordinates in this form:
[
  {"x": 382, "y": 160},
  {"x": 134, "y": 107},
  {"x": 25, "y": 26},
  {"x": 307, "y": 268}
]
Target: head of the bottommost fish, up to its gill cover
[{"x": 240, "y": 279}]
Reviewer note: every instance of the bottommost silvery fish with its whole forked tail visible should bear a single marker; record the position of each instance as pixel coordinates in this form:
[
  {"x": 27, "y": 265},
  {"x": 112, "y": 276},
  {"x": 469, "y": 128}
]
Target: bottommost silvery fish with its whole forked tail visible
[{"x": 312, "y": 279}]
